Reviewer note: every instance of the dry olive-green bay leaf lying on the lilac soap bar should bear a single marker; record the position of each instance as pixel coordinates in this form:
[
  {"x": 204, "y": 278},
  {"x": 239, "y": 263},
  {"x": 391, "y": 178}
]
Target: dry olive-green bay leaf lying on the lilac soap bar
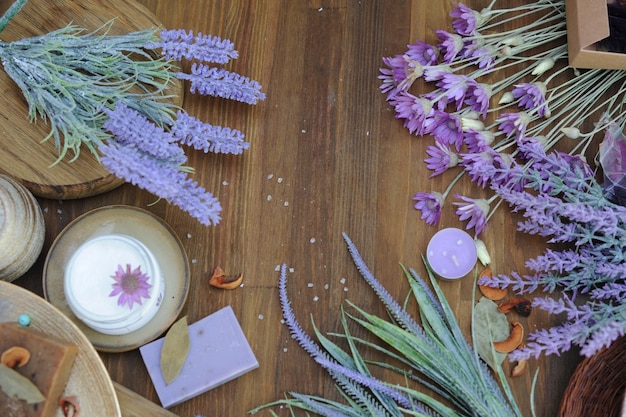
[{"x": 175, "y": 350}]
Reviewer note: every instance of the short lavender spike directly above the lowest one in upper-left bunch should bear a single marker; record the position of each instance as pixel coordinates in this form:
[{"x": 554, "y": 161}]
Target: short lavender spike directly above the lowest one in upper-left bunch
[{"x": 128, "y": 127}]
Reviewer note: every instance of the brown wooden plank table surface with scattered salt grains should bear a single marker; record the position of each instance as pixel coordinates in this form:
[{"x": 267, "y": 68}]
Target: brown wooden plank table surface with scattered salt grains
[{"x": 327, "y": 149}]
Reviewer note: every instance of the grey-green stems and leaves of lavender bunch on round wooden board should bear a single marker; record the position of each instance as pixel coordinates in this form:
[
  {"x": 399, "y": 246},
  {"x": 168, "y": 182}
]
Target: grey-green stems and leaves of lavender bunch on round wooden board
[{"x": 68, "y": 77}]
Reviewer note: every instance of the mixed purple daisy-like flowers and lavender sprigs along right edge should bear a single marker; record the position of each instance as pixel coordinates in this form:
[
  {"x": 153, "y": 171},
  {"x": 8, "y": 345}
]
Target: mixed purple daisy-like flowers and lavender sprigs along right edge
[{"x": 497, "y": 95}]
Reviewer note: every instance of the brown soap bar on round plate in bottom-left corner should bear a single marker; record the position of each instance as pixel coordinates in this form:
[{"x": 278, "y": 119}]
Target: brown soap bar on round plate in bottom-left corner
[{"x": 48, "y": 368}]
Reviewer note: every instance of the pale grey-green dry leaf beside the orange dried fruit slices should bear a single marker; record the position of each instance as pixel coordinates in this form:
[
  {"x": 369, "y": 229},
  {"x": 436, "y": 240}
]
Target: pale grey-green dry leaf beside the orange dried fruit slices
[{"x": 490, "y": 325}]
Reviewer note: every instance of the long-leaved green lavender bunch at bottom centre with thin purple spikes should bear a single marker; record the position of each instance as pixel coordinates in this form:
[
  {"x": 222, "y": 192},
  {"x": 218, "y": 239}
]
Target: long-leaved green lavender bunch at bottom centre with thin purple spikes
[{"x": 435, "y": 353}]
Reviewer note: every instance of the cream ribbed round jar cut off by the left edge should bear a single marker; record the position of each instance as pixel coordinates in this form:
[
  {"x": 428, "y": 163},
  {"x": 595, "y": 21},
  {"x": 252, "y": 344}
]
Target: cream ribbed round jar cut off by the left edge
[{"x": 22, "y": 229}]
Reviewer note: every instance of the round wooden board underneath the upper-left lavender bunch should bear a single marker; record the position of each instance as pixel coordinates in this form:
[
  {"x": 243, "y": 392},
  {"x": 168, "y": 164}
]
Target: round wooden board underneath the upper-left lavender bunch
[{"x": 23, "y": 155}]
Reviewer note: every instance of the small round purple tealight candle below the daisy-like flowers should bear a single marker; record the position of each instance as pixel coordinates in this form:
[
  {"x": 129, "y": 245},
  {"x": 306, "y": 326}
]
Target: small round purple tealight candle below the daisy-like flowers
[{"x": 451, "y": 253}]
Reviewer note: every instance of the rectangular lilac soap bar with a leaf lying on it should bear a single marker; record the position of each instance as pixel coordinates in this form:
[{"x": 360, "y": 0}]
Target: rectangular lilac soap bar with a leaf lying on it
[{"x": 218, "y": 353}]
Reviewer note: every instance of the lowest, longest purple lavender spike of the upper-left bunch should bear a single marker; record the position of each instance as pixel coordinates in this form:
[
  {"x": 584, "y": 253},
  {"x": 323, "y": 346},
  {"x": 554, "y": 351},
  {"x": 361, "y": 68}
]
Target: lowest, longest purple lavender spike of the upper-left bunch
[{"x": 160, "y": 178}]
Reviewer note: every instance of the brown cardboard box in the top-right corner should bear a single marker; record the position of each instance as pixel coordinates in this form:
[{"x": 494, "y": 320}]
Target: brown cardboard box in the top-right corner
[{"x": 588, "y": 23}]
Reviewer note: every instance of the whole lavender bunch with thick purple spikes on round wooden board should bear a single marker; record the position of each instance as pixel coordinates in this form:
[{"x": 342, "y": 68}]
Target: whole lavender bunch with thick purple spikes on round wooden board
[{"x": 110, "y": 94}]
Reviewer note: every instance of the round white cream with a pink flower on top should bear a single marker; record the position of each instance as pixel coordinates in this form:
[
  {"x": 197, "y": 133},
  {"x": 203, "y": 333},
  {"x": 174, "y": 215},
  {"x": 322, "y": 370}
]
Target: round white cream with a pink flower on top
[{"x": 89, "y": 282}]
